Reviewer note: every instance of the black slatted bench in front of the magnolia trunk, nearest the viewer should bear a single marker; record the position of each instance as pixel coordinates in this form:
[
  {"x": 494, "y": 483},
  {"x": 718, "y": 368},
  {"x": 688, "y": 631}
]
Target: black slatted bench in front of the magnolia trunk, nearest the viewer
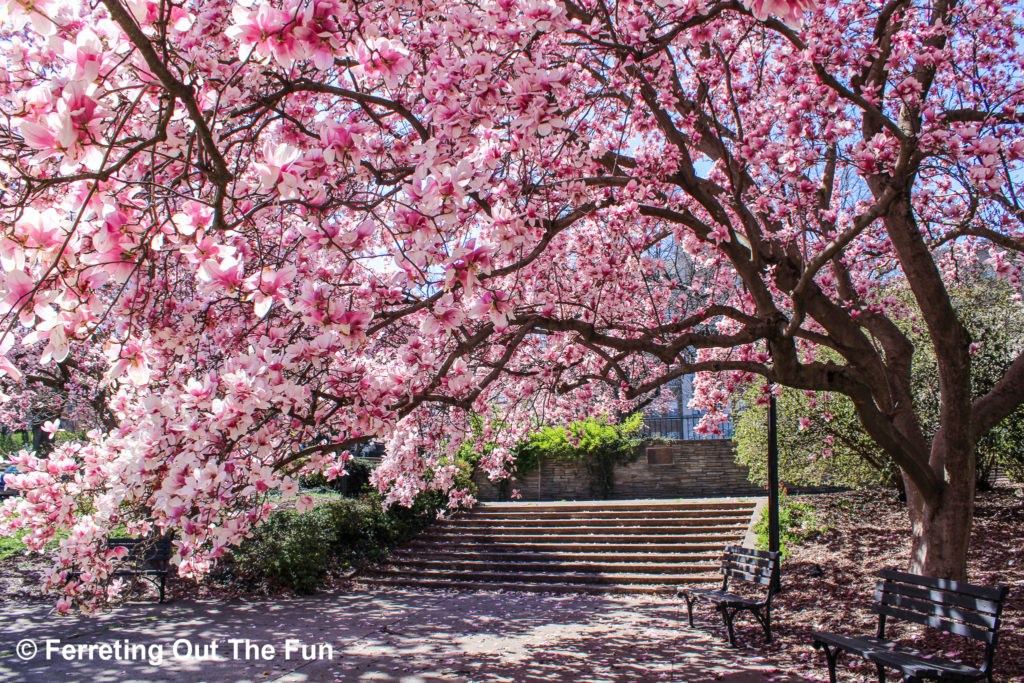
[{"x": 955, "y": 608}]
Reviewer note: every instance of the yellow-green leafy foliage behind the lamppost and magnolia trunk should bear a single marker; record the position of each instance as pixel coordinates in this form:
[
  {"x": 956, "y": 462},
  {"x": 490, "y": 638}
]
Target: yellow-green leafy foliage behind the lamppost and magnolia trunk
[{"x": 822, "y": 442}]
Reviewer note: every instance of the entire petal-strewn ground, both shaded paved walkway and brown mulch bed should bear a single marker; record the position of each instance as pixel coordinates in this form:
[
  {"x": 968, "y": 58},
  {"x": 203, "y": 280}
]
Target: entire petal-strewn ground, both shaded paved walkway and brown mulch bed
[{"x": 436, "y": 636}]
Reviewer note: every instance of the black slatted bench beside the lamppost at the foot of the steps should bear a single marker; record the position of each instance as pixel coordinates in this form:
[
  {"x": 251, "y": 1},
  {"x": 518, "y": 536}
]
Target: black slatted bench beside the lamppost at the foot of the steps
[{"x": 741, "y": 566}]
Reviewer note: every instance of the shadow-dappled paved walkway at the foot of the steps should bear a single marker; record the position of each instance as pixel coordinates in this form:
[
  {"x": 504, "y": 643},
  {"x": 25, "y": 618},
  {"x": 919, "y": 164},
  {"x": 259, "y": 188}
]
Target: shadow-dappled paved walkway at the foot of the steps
[{"x": 377, "y": 636}]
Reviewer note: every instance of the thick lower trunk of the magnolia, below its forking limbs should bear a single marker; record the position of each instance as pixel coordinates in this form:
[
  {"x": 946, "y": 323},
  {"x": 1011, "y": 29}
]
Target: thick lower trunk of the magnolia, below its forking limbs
[{"x": 942, "y": 525}]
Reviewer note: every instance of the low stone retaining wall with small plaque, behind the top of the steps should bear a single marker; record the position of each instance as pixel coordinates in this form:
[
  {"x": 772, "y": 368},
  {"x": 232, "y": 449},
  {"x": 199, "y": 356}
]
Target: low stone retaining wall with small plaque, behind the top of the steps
[{"x": 675, "y": 469}]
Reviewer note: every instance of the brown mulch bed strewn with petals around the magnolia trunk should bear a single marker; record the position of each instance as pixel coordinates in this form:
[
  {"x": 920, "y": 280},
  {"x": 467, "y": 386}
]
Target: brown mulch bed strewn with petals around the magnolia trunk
[{"x": 829, "y": 582}]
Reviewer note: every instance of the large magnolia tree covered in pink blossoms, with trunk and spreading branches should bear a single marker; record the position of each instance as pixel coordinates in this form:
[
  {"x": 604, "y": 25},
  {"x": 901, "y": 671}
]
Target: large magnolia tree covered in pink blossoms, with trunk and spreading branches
[{"x": 302, "y": 224}]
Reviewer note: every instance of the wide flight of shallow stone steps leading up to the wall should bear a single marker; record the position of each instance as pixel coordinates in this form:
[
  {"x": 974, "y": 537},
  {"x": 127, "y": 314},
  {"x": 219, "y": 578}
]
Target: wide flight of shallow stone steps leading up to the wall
[{"x": 581, "y": 547}]
